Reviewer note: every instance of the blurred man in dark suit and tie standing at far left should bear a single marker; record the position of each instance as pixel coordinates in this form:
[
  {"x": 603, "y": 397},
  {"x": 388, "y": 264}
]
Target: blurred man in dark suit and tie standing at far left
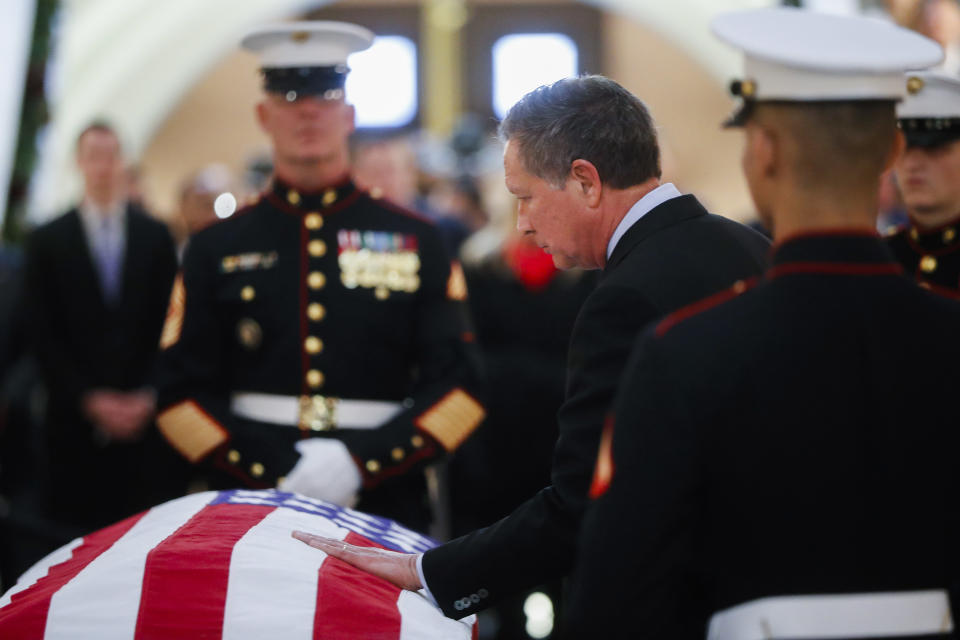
[{"x": 98, "y": 280}]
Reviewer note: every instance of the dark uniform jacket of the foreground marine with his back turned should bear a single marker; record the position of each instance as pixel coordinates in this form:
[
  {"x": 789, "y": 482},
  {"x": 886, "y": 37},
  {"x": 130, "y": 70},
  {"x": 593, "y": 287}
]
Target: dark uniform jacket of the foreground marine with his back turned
[{"x": 797, "y": 439}]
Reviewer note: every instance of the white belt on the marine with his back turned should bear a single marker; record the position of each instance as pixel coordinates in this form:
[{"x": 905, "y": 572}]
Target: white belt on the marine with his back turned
[{"x": 903, "y": 613}]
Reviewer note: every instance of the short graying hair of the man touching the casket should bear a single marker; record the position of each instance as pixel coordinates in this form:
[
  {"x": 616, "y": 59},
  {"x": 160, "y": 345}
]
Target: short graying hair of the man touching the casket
[{"x": 591, "y": 118}]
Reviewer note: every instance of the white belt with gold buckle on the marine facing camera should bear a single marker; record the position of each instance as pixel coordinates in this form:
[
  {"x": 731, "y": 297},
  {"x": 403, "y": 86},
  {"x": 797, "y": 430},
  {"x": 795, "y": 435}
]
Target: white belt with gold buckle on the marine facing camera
[{"x": 317, "y": 413}]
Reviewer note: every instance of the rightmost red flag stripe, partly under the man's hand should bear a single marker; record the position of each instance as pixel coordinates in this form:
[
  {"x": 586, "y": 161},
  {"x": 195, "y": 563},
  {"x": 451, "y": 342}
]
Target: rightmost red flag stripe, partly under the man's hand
[{"x": 354, "y": 604}]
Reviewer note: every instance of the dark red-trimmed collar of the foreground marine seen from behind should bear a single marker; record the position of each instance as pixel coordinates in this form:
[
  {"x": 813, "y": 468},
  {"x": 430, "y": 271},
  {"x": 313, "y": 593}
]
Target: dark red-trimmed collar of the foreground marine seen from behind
[{"x": 854, "y": 251}]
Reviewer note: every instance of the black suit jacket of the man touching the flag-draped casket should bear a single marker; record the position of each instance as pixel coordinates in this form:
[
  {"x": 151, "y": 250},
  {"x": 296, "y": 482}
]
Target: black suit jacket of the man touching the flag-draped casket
[{"x": 676, "y": 254}]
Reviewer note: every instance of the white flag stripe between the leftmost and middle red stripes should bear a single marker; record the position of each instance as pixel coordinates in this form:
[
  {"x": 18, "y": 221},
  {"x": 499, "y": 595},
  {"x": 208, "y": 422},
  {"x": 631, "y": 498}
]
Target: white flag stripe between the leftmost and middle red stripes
[{"x": 103, "y": 600}]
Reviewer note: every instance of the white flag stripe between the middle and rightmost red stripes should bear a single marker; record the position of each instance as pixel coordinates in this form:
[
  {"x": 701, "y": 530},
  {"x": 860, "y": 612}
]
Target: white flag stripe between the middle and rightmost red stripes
[{"x": 274, "y": 578}]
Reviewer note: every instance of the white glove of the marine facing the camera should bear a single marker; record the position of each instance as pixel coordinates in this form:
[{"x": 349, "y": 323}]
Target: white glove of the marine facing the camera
[{"x": 325, "y": 471}]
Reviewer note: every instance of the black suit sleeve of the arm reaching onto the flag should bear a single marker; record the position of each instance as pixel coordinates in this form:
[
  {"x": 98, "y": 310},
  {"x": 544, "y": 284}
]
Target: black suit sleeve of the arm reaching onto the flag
[{"x": 537, "y": 541}]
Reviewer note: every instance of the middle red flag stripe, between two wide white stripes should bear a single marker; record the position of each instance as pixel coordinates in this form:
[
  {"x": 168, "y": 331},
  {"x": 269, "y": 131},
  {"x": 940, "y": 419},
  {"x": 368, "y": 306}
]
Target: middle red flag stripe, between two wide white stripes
[{"x": 186, "y": 575}]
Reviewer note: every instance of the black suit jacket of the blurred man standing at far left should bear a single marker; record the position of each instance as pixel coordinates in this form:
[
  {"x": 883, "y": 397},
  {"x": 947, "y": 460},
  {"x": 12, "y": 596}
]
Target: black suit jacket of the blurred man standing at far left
[{"x": 83, "y": 343}]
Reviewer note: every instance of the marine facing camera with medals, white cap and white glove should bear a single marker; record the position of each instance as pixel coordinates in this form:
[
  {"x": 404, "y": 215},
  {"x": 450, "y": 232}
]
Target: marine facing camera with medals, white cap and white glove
[{"x": 318, "y": 339}]
